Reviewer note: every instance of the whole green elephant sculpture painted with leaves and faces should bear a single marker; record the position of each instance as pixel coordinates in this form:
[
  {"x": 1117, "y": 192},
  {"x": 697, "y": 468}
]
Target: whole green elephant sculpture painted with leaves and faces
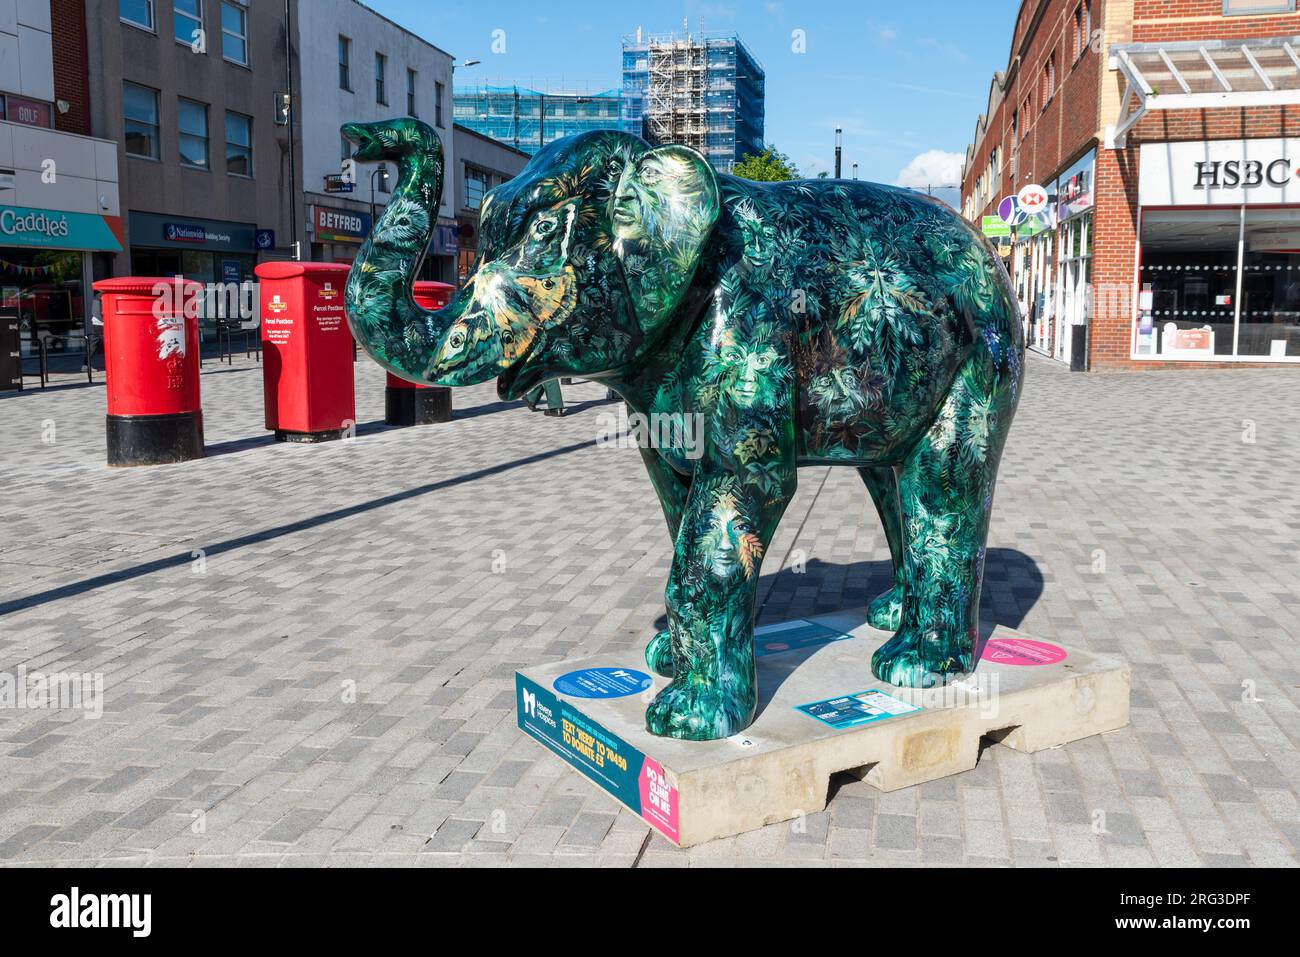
[{"x": 783, "y": 324}]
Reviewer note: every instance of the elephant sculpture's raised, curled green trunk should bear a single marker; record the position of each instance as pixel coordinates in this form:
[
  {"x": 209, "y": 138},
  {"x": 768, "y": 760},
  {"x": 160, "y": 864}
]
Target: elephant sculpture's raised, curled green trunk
[{"x": 387, "y": 322}]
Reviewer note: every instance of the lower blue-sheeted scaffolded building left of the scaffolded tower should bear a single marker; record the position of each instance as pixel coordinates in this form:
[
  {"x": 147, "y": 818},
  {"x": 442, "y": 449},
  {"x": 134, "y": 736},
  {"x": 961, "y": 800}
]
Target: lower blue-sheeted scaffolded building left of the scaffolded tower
[{"x": 527, "y": 119}]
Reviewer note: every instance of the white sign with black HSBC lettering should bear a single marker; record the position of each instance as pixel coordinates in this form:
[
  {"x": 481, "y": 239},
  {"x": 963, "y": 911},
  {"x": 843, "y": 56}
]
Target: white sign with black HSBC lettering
[{"x": 1229, "y": 172}]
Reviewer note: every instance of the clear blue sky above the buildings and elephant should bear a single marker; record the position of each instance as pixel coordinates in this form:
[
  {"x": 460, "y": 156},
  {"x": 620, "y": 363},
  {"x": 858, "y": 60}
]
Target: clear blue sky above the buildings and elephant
[{"x": 905, "y": 81}]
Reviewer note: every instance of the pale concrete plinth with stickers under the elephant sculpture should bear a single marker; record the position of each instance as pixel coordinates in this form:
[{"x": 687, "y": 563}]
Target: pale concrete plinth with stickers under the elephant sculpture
[{"x": 782, "y": 765}]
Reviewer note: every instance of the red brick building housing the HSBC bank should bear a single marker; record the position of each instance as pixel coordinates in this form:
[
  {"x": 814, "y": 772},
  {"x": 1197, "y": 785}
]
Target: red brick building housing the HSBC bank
[{"x": 1164, "y": 137}]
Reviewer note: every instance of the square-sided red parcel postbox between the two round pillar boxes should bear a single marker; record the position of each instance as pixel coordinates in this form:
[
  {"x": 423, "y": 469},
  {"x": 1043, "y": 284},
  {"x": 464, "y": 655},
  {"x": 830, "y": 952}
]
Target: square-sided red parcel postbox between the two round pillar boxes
[{"x": 307, "y": 348}]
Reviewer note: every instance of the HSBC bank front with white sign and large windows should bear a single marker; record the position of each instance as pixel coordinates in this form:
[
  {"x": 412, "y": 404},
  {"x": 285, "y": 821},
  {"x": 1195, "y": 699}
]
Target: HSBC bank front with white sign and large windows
[{"x": 1219, "y": 269}]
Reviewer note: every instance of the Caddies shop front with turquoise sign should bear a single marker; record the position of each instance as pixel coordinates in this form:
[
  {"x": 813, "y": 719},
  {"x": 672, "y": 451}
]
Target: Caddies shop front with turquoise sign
[{"x": 46, "y": 272}]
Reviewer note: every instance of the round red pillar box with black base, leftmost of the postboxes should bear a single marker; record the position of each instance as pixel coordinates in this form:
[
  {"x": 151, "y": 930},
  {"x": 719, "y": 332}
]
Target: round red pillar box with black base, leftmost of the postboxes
[{"x": 151, "y": 360}]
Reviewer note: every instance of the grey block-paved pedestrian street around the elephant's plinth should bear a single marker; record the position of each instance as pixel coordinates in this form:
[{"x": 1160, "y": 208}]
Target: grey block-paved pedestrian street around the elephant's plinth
[{"x": 309, "y": 652}]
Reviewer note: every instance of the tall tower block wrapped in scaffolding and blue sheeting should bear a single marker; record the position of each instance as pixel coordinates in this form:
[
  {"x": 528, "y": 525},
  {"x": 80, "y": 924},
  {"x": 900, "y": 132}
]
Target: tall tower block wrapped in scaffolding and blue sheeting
[{"x": 699, "y": 90}]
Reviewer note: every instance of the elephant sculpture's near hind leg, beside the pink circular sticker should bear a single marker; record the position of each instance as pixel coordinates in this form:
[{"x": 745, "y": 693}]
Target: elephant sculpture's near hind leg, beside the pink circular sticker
[{"x": 947, "y": 495}]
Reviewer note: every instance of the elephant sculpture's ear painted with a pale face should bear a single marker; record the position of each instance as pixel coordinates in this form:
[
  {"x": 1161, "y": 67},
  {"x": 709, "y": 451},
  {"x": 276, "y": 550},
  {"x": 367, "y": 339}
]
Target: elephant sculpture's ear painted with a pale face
[{"x": 664, "y": 211}]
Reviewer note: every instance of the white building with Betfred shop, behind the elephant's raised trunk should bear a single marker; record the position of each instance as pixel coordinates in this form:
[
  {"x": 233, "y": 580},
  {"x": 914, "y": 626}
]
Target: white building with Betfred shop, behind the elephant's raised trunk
[{"x": 361, "y": 67}]
